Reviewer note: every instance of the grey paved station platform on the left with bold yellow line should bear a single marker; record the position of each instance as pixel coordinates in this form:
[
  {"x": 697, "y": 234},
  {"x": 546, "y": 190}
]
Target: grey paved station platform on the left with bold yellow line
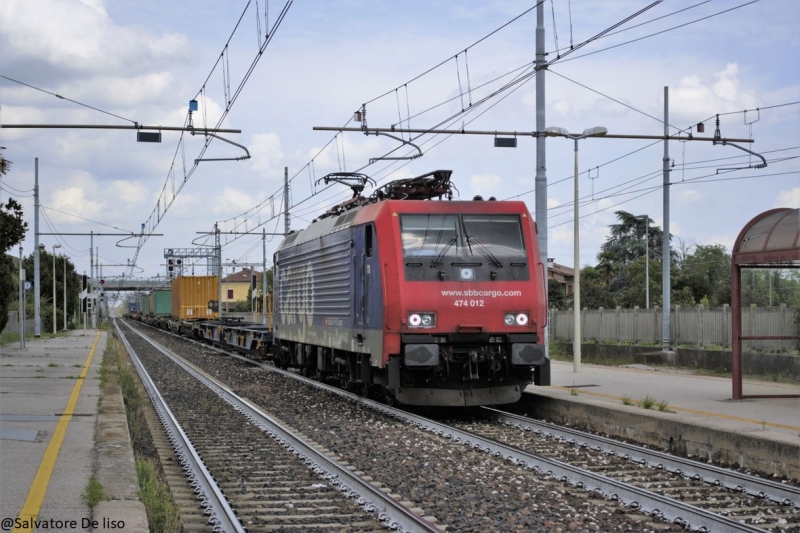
[{"x": 58, "y": 430}]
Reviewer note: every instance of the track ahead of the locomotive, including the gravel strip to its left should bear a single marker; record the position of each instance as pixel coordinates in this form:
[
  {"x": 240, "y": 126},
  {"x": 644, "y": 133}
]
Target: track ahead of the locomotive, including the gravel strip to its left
[{"x": 560, "y": 495}]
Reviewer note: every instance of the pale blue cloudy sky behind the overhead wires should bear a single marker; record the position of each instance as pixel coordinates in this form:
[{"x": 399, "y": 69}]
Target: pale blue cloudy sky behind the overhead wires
[{"x": 415, "y": 64}]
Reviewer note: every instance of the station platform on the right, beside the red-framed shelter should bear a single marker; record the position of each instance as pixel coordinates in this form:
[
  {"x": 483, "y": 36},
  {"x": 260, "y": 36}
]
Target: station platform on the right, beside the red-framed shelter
[{"x": 699, "y": 416}]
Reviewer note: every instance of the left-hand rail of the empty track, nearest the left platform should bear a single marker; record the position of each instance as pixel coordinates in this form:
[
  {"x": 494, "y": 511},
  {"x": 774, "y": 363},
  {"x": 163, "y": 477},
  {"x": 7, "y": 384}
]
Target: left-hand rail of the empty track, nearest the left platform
[{"x": 216, "y": 505}]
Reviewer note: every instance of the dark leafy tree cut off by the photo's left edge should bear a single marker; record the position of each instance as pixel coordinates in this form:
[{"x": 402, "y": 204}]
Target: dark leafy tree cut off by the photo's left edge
[{"x": 12, "y": 231}]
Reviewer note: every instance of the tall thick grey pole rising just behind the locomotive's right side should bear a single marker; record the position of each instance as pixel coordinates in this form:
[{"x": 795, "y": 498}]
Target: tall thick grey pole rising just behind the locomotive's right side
[{"x": 541, "y": 159}]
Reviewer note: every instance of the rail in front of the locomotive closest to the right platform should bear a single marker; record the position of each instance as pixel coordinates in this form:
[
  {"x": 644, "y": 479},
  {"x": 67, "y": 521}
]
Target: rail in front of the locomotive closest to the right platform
[{"x": 713, "y": 475}]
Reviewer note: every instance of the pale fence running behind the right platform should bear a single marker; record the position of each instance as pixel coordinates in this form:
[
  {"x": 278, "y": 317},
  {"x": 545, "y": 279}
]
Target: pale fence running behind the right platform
[{"x": 696, "y": 326}]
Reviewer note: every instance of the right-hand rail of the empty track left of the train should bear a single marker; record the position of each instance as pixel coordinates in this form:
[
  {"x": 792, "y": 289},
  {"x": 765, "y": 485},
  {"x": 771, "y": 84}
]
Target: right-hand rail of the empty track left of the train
[{"x": 390, "y": 512}]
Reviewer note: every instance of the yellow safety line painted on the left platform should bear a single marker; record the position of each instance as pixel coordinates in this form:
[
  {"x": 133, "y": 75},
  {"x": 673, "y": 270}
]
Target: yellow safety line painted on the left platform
[{"x": 33, "y": 503}]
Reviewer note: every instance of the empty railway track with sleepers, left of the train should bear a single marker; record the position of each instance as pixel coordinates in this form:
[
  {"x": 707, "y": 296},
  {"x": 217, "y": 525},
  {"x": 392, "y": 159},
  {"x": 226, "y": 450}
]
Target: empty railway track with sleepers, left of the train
[{"x": 248, "y": 470}]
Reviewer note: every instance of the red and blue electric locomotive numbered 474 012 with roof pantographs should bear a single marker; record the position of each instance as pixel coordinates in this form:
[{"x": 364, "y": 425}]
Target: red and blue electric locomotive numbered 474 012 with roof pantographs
[{"x": 414, "y": 300}]
